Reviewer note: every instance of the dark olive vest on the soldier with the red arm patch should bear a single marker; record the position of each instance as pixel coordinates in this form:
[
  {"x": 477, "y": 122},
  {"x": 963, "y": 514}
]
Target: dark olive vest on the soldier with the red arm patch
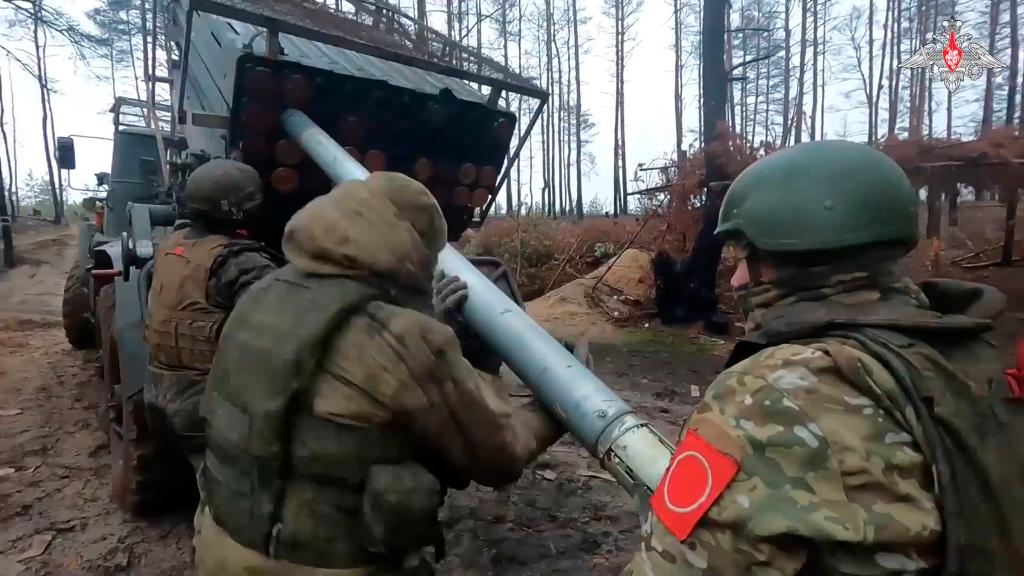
[{"x": 970, "y": 430}]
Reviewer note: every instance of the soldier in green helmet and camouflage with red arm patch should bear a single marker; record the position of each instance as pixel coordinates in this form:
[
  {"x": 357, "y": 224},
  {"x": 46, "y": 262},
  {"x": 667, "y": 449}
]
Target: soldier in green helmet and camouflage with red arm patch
[{"x": 863, "y": 426}]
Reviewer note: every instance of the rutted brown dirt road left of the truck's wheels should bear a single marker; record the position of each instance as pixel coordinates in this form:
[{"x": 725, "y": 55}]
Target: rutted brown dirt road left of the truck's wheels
[{"x": 56, "y": 512}]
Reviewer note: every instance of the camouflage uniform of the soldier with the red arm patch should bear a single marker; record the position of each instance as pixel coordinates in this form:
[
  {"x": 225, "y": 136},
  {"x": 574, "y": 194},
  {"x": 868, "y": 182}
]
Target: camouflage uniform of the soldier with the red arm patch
[{"x": 870, "y": 428}]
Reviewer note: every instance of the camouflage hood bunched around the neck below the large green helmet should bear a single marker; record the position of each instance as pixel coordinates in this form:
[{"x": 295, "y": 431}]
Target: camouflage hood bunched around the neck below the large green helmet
[{"x": 792, "y": 309}]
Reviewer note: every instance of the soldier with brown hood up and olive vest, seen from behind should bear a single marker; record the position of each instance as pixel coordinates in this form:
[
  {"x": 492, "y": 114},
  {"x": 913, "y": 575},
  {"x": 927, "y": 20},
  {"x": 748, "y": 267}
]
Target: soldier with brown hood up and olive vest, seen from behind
[{"x": 339, "y": 409}]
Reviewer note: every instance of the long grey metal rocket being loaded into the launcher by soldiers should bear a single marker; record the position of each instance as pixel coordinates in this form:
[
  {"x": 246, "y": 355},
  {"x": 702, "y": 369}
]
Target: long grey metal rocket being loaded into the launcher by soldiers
[{"x": 628, "y": 447}]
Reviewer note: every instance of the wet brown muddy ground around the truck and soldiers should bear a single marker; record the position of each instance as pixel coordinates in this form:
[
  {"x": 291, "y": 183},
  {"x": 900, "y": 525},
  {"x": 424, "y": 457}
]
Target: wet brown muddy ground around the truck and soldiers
[{"x": 564, "y": 517}]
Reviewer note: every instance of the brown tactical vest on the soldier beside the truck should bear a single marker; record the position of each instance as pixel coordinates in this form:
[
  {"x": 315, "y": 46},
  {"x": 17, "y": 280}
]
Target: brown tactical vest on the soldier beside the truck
[{"x": 183, "y": 327}]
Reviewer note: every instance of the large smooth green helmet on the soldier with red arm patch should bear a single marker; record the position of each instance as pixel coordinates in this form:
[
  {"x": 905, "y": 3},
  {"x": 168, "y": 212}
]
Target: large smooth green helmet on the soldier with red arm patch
[{"x": 822, "y": 196}]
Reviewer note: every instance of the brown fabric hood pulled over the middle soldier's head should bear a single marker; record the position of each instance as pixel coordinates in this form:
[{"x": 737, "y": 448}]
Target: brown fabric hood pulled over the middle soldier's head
[{"x": 388, "y": 229}]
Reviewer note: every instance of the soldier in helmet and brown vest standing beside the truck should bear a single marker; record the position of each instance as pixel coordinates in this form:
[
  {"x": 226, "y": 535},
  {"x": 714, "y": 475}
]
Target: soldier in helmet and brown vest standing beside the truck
[{"x": 199, "y": 274}]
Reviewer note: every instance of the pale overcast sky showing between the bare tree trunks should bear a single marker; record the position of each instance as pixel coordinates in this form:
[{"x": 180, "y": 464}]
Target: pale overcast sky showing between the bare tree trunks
[{"x": 82, "y": 102}]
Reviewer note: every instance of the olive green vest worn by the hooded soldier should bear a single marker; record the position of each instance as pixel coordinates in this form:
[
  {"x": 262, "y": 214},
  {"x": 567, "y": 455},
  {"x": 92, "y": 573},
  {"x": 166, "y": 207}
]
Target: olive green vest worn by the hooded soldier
[{"x": 281, "y": 481}]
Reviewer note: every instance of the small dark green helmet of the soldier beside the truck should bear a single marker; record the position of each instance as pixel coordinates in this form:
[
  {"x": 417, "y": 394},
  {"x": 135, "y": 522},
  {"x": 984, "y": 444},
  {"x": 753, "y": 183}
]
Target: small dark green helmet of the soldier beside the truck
[{"x": 224, "y": 191}]
